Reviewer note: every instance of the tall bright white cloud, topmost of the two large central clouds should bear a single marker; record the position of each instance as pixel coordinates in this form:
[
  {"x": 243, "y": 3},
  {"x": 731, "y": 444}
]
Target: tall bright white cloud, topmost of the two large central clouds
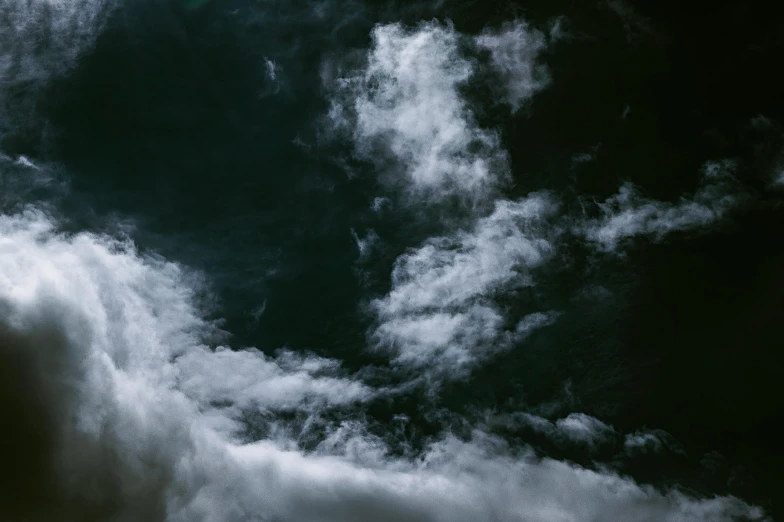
[{"x": 404, "y": 107}]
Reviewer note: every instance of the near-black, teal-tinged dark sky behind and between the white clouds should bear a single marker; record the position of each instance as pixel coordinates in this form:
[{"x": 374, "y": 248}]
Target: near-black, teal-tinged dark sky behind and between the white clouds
[{"x": 170, "y": 125}]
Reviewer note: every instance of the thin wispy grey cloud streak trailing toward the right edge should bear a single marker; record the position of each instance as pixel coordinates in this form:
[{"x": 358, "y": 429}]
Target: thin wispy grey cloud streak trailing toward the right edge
[{"x": 629, "y": 214}]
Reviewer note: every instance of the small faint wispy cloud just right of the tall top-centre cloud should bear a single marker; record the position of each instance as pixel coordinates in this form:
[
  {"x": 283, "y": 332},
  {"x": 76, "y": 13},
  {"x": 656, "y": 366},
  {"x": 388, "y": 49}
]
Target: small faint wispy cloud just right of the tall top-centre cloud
[{"x": 514, "y": 51}]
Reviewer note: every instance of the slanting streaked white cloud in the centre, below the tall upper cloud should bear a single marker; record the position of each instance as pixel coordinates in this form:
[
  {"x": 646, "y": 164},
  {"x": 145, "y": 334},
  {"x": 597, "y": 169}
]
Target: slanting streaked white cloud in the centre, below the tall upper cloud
[{"x": 439, "y": 315}]
